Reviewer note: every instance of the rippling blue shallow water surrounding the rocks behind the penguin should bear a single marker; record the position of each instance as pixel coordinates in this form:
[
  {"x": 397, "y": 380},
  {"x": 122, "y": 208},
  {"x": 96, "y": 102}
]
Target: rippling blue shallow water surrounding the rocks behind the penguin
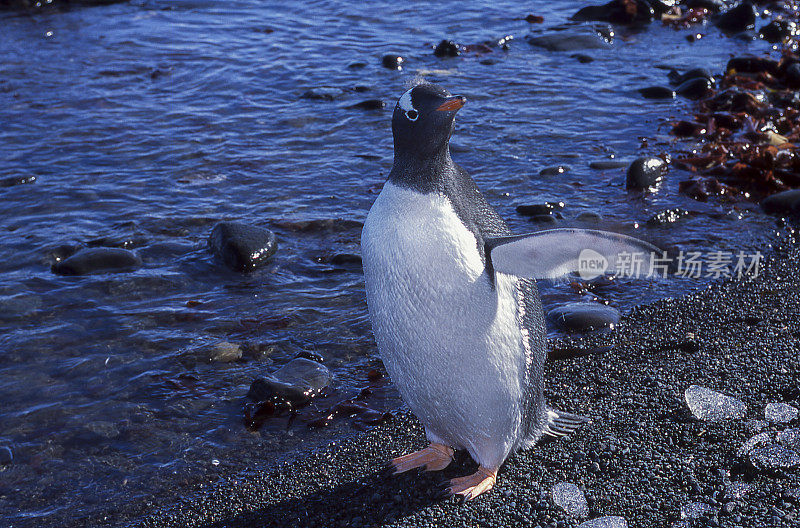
[{"x": 146, "y": 123}]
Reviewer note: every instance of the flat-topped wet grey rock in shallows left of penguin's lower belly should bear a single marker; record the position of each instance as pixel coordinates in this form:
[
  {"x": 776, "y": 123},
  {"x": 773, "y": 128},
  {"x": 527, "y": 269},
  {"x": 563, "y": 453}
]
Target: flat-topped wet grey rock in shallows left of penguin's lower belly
[{"x": 297, "y": 382}]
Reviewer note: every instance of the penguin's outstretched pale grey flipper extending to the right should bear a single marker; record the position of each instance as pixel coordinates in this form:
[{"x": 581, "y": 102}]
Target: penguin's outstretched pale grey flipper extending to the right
[{"x": 554, "y": 253}]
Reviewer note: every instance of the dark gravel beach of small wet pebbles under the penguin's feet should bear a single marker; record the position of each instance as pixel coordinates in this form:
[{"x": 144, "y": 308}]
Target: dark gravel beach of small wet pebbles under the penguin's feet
[{"x": 643, "y": 457}]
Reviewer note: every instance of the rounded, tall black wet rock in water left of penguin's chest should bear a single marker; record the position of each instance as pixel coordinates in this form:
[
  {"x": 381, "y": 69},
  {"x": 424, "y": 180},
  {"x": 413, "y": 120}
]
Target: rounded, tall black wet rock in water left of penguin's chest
[{"x": 242, "y": 247}]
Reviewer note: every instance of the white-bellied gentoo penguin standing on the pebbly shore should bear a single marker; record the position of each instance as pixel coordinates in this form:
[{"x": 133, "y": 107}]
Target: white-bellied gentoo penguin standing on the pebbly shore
[{"x": 453, "y": 301}]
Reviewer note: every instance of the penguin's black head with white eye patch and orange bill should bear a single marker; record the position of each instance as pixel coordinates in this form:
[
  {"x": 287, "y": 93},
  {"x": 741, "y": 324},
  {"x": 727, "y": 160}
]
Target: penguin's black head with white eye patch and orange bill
[{"x": 423, "y": 120}]
